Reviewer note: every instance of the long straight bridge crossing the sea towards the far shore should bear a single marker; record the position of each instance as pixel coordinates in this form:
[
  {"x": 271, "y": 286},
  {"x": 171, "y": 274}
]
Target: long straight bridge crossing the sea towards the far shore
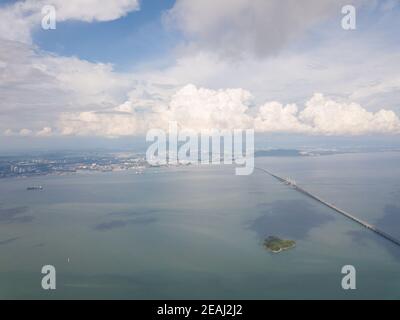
[{"x": 371, "y": 227}]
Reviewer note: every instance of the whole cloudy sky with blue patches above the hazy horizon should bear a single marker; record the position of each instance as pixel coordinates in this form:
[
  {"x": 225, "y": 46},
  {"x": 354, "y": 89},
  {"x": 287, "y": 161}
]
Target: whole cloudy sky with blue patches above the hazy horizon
[{"x": 112, "y": 70}]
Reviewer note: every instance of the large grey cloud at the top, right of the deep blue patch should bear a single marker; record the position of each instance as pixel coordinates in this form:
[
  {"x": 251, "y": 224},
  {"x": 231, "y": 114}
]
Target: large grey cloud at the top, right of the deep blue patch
[{"x": 257, "y": 27}]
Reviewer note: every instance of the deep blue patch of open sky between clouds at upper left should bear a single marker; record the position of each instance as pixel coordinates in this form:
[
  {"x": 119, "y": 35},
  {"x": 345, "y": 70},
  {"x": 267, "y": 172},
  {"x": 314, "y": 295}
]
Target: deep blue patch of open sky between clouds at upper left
[{"x": 138, "y": 37}]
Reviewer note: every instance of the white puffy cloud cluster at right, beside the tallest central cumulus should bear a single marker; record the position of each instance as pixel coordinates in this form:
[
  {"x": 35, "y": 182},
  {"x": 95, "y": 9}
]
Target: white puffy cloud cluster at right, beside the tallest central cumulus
[{"x": 326, "y": 117}]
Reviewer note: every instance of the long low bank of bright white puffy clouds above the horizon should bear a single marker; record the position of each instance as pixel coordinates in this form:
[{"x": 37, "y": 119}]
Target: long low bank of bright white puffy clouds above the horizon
[{"x": 204, "y": 109}]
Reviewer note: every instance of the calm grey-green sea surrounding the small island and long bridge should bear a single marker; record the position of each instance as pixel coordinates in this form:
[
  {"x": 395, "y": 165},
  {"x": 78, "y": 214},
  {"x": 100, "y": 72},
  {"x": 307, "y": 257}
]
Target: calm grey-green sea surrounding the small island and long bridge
[{"x": 196, "y": 232}]
